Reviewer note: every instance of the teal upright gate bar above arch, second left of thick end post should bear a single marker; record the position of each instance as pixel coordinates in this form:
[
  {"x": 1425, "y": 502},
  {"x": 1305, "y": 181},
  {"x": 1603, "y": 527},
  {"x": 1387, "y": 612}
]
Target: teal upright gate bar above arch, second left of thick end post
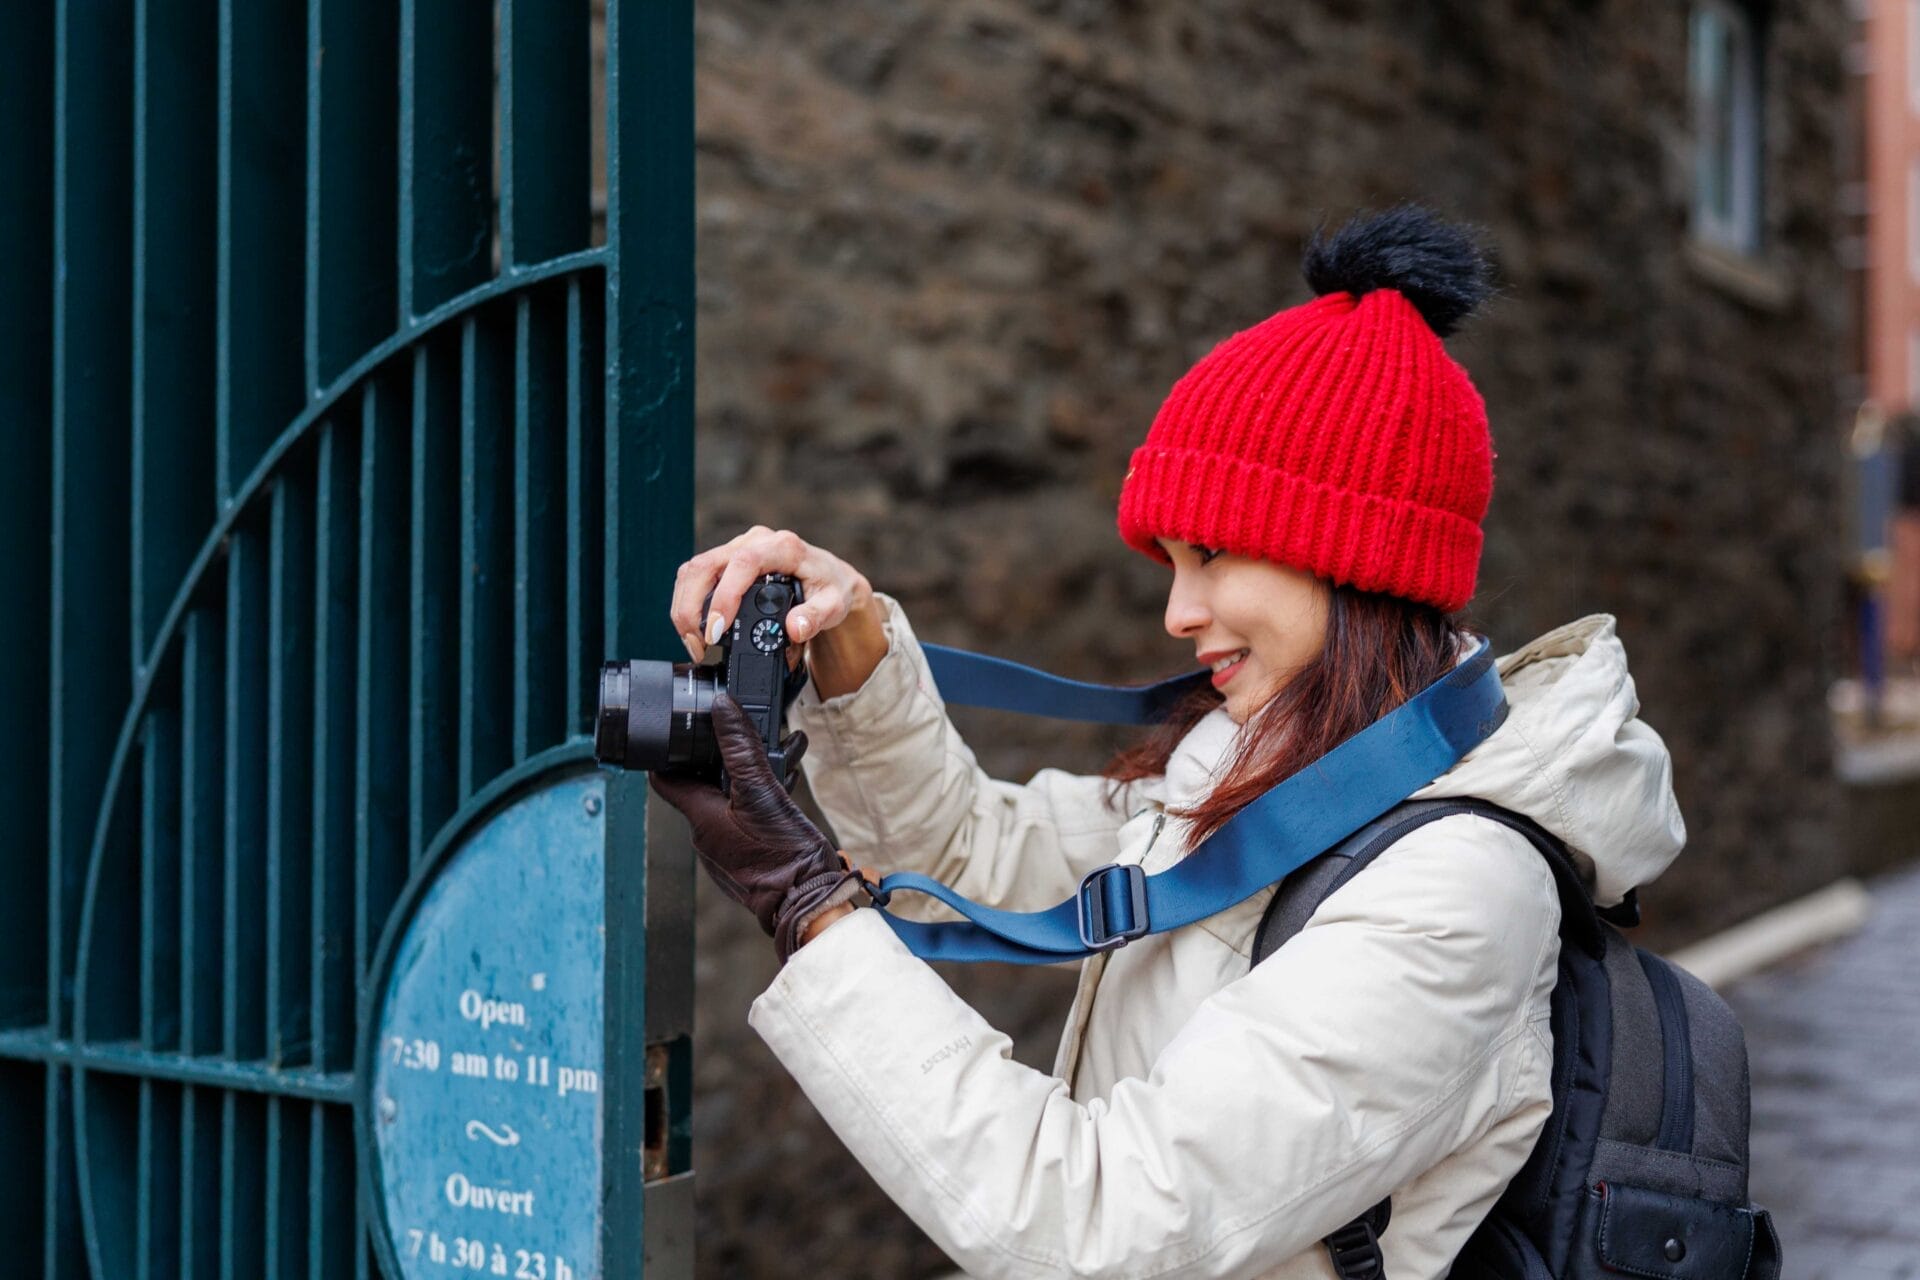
[{"x": 446, "y": 151}]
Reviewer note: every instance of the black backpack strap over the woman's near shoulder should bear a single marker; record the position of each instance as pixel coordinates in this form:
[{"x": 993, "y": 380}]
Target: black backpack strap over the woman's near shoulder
[{"x": 1303, "y": 891}]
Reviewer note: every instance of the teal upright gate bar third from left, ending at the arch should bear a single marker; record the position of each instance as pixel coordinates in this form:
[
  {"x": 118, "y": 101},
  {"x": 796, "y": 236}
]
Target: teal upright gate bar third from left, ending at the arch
[{"x": 174, "y": 302}]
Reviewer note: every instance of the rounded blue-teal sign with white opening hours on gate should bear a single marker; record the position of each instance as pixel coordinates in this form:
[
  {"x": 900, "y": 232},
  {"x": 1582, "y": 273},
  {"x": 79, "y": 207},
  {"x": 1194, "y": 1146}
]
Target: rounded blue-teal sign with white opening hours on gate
[{"x": 487, "y": 1085}]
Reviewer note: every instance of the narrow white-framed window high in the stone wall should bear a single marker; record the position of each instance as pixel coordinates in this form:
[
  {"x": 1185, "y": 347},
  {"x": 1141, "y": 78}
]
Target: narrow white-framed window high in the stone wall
[{"x": 1725, "y": 85}]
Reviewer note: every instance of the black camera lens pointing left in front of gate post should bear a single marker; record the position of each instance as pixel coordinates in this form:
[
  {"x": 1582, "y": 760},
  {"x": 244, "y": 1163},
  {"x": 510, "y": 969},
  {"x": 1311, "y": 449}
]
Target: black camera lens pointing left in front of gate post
[{"x": 656, "y": 715}]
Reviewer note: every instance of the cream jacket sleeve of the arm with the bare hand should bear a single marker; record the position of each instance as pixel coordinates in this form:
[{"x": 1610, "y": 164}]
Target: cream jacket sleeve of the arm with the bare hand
[{"x": 905, "y": 794}]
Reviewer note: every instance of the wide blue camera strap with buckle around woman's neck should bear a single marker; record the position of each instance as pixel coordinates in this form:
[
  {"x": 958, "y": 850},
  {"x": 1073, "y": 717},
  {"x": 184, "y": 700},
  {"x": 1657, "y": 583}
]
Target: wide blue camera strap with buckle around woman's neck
[{"x": 1284, "y": 830}]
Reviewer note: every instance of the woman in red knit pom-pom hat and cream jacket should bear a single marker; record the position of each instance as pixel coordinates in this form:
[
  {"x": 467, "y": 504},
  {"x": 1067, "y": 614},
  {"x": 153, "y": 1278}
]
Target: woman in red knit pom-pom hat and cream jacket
[{"x": 1316, "y": 486}]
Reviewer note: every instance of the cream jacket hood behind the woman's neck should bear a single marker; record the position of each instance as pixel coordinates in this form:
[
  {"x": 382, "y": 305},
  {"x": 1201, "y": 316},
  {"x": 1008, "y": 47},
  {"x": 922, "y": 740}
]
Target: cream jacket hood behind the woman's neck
[{"x": 1575, "y": 759}]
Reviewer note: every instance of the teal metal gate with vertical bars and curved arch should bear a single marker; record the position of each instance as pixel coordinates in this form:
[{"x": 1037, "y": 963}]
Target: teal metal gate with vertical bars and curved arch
[{"x": 341, "y": 448}]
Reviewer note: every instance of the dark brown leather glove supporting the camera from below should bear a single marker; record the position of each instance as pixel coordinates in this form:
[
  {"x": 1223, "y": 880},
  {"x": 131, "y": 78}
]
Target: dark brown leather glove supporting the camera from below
[{"x": 757, "y": 843}]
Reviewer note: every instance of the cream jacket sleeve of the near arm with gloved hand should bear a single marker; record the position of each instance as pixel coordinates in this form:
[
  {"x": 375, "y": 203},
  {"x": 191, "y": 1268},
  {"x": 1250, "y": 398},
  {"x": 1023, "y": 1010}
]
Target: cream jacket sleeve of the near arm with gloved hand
[{"x": 1401, "y": 1026}]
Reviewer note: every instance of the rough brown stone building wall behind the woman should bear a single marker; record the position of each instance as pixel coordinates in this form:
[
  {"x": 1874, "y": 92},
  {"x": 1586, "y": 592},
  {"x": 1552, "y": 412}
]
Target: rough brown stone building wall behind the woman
[{"x": 955, "y": 254}]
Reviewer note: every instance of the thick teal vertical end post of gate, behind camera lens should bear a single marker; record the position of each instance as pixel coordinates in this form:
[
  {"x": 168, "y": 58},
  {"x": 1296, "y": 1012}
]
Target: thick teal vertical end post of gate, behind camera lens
[{"x": 650, "y": 517}]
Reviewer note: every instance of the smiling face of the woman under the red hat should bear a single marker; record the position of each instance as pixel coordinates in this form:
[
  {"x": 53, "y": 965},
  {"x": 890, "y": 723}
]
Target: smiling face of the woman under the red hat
[{"x": 1255, "y": 623}]
